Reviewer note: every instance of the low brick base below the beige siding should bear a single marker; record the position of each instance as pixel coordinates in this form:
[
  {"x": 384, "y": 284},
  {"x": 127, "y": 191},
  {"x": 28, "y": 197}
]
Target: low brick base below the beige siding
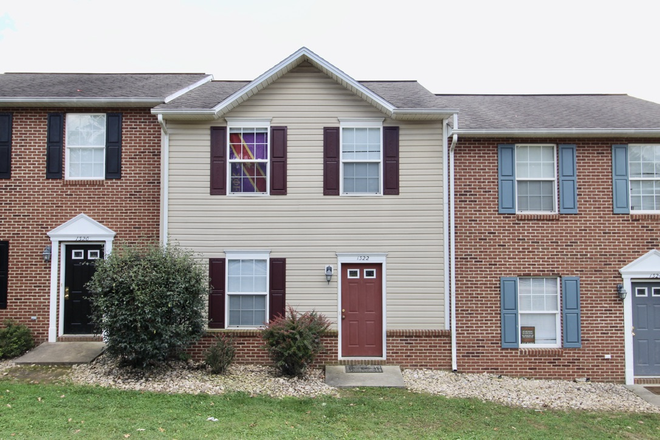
[{"x": 406, "y": 348}]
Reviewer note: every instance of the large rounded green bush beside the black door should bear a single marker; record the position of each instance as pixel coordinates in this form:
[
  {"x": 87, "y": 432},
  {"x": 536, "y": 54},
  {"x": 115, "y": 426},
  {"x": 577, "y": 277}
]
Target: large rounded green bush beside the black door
[{"x": 149, "y": 302}]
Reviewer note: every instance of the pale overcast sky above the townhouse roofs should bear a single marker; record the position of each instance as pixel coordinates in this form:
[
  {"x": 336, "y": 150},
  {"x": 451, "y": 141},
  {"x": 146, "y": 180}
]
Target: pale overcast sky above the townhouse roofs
[{"x": 460, "y": 46}]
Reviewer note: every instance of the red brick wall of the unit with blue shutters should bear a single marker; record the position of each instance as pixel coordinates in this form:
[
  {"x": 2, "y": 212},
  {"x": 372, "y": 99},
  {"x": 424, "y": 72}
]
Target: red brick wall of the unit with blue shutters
[{"x": 593, "y": 245}]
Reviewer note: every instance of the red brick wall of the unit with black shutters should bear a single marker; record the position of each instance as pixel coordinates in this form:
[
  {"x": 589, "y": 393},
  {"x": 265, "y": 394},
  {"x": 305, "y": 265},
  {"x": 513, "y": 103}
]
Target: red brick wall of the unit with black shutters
[{"x": 32, "y": 205}]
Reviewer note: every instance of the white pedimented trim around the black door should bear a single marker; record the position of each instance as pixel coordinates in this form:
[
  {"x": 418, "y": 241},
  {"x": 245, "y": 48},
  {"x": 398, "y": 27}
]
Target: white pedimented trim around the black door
[{"x": 82, "y": 230}]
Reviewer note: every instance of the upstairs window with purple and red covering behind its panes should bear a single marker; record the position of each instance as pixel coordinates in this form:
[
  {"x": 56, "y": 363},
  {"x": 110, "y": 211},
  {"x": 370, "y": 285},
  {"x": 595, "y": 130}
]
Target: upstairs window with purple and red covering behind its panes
[{"x": 248, "y": 160}]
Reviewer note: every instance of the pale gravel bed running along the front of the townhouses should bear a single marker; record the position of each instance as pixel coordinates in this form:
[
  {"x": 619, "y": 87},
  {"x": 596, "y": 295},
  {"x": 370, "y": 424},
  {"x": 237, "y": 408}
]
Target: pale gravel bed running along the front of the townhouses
[{"x": 192, "y": 378}]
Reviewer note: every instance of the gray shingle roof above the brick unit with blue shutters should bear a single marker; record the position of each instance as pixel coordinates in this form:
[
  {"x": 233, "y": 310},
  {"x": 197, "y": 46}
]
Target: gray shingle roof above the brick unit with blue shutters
[{"x": 528, "y": 112}]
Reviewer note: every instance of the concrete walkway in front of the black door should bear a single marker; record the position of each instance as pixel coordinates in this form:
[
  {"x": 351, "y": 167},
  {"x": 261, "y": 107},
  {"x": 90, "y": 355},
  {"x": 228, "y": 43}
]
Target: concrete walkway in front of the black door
[{"x": 62, "y": 353}]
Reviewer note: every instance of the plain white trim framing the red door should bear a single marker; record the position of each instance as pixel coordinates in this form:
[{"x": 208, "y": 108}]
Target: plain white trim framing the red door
[{"x": 362, "y": 258}]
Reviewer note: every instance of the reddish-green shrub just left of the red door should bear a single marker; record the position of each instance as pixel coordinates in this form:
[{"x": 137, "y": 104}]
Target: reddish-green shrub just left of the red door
[{"x": 293, "y": 341}]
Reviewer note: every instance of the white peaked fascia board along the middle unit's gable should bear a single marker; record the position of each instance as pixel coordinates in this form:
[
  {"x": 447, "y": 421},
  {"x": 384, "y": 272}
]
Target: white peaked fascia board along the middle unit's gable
[{"x": 289, "y": 63}]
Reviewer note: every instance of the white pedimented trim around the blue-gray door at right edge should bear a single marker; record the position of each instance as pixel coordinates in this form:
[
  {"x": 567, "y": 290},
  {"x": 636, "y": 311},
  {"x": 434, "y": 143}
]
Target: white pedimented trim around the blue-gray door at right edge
[{"x": 643, "y": 269}]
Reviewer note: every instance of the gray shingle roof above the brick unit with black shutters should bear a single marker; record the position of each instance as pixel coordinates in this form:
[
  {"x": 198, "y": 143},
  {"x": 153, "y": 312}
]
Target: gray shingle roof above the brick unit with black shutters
[{"x": 94, "y": 85}]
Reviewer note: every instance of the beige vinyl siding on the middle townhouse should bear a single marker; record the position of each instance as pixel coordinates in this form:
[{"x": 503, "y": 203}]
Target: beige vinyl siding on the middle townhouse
[{"x": 308, "y": 228}]
